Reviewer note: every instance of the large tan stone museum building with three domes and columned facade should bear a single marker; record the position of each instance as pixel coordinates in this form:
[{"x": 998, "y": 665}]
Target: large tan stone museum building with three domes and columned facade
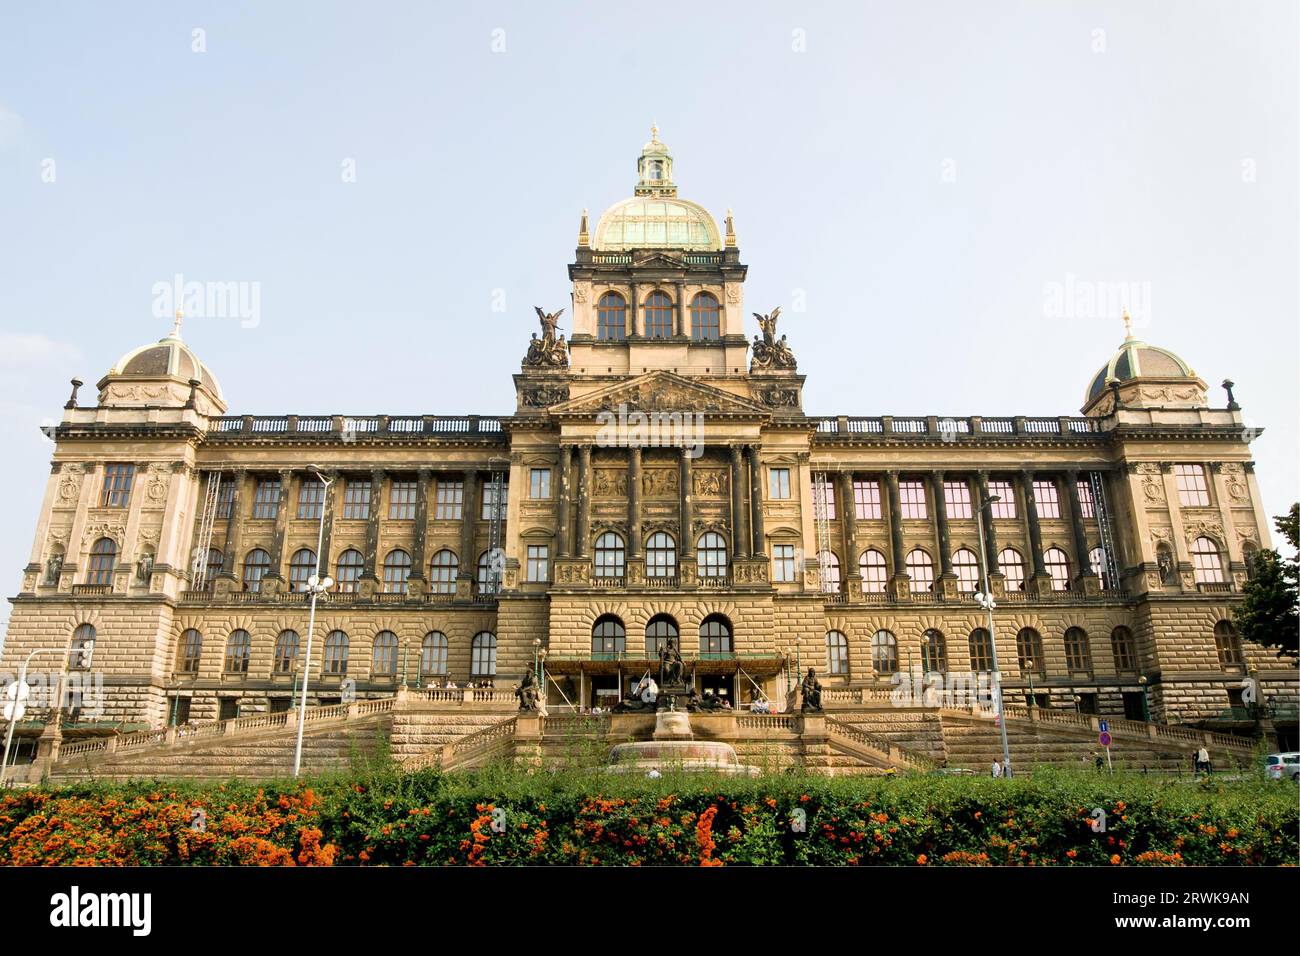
[{"x": 657, "y": 477}]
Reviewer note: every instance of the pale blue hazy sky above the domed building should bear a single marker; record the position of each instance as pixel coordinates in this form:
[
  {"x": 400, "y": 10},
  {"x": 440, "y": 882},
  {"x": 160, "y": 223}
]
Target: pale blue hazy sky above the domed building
[{"x": 918, "y": 175}]
